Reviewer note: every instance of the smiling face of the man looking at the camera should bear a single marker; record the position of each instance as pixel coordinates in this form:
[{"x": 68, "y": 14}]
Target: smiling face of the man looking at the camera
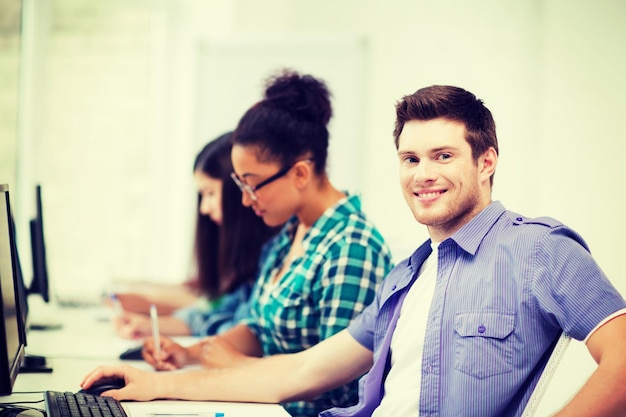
[{"x": 441, "y": 182}]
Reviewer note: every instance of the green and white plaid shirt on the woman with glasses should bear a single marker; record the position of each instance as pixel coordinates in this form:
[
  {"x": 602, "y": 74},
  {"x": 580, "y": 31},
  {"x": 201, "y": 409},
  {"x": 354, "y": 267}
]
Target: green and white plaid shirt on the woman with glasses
[{"x": 344, "y": 261}]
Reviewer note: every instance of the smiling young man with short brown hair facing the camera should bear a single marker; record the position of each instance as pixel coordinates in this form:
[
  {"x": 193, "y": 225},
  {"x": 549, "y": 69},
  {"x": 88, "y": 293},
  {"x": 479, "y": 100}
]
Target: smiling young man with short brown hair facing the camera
[{"x": 466, "y": 324}]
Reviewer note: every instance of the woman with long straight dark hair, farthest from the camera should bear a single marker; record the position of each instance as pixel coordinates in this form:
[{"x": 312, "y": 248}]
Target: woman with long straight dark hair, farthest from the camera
[{"x": 228, "y": 243}]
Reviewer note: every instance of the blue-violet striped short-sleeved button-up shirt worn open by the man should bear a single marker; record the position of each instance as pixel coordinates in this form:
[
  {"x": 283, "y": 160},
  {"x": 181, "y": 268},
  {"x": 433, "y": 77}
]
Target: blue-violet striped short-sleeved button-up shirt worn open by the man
[{"x": 507, "y": 286}]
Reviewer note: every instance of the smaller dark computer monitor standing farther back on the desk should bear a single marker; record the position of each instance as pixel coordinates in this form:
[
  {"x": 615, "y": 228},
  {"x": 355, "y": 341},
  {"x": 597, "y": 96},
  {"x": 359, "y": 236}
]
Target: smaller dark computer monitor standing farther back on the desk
[{"x": 39, "y": 284}]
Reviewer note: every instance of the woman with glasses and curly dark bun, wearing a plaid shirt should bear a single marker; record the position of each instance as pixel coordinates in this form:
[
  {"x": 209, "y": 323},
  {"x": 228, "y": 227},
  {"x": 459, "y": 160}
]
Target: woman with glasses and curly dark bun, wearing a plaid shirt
[{"x": 323, "y": 267}]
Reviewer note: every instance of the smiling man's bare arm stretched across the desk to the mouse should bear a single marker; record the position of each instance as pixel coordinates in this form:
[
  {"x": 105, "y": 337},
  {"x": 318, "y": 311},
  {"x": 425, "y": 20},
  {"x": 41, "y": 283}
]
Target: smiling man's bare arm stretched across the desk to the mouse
[{"x": 278, "y": 378}]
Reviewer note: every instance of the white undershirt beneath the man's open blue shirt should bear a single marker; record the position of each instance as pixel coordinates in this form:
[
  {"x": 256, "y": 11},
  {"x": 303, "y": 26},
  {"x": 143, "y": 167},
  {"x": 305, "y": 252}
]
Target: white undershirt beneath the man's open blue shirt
[{"x": 402, "y": 386}]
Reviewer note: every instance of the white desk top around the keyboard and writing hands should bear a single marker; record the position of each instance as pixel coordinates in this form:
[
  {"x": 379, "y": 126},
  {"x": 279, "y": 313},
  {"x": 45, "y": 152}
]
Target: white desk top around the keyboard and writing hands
[{"x": 87, "y": 340}]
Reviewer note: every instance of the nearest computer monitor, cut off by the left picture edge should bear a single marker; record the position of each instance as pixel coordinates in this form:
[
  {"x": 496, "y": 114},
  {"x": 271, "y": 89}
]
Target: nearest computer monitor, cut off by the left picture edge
[{"x": 12, "y": 335}]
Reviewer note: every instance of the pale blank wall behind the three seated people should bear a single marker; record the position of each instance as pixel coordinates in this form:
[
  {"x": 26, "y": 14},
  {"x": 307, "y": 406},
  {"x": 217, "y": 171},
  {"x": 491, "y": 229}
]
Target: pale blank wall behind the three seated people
[{"x": 117, "y": 128}]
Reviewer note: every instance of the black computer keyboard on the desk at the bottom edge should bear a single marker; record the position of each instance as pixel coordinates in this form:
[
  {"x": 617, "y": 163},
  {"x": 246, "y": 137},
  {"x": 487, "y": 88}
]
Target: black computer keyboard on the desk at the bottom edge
[{"x": 78, "y": 404}]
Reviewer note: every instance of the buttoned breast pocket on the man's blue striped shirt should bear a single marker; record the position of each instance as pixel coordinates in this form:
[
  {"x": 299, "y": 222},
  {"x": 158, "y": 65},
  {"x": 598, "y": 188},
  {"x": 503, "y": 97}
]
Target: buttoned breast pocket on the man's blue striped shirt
[{"x": 483, "y": 343}]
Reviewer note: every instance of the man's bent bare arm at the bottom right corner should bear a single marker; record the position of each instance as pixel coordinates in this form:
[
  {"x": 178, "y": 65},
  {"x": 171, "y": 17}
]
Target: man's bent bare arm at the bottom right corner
[{"x": 604, "y": 394}]
